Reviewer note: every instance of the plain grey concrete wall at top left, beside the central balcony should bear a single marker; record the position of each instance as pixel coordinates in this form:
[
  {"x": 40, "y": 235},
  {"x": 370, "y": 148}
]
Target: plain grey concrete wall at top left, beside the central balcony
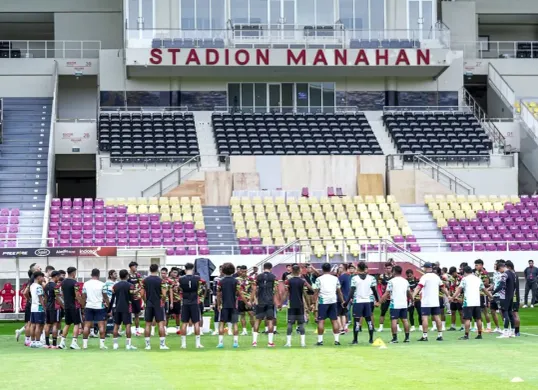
[{"x": 106, "y": 27}]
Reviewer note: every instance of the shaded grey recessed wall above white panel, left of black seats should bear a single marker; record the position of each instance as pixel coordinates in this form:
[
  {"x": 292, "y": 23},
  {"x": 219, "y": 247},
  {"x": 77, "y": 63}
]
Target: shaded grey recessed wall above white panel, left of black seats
[{"x": 77, "y": 97}]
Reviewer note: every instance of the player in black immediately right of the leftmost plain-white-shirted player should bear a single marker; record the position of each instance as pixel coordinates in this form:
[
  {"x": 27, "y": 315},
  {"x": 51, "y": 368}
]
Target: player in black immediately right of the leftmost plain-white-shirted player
[{"x": 122, "y": 299}]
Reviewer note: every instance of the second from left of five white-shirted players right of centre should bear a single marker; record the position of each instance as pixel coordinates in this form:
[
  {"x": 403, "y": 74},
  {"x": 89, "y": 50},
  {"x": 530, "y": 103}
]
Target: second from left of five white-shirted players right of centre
[{"x": 363, "y": 286}]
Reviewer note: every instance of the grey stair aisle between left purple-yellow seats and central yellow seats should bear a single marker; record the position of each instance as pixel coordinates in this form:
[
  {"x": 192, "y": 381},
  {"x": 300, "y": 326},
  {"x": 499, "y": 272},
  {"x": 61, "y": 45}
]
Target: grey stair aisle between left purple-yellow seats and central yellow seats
[{"x": 221, "y": 237}]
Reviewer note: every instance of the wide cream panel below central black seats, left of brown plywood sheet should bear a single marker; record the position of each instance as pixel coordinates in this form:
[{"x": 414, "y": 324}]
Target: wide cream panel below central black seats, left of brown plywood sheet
[{"x": 319, "y": 172}]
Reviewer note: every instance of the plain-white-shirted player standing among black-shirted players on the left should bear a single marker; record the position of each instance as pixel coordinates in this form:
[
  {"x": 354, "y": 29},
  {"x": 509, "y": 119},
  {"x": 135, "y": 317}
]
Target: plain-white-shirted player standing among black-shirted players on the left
[{"x": 95, "y": 303}]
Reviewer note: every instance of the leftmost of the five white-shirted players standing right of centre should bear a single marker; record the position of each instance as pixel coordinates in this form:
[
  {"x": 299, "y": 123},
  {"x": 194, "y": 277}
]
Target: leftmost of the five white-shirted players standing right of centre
[{"x": 327, "y": 292}]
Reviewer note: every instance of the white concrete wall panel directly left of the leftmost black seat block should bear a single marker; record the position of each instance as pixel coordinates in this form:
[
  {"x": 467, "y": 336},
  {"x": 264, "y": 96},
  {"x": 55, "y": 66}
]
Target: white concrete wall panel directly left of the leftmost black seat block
[{"x": 71, "y": 135}]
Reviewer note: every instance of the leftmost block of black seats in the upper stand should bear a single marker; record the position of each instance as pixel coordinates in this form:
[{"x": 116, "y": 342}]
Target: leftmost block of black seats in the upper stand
[{"x": 148, "y": 136}]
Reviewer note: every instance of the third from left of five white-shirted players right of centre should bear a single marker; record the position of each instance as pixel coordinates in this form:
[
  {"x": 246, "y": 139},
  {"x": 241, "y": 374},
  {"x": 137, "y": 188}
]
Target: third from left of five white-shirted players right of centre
[{"x": 400, "y": 296}]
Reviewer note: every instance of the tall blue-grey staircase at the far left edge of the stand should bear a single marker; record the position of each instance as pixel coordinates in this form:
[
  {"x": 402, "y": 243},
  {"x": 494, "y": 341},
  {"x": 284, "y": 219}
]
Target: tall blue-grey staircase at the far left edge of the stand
[{"x": 23, "y": 161}]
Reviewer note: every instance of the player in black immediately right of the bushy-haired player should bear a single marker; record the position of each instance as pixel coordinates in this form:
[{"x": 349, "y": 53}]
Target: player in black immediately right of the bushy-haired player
[{"x": 264, "y": 297}]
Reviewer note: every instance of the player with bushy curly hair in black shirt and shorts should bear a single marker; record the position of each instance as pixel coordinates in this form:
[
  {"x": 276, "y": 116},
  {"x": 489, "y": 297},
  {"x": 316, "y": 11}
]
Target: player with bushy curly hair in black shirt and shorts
[{"x": 228, "y": 290}]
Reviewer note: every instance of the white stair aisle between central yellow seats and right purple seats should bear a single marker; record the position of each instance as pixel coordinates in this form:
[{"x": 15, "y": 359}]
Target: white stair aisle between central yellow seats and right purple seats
[{"x": 424, "y": 228}]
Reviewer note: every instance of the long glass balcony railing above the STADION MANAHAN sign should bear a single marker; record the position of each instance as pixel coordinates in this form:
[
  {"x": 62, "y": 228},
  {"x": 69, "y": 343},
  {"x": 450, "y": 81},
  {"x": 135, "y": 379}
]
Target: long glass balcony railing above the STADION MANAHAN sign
[{"x": 288, "y": 36}]
